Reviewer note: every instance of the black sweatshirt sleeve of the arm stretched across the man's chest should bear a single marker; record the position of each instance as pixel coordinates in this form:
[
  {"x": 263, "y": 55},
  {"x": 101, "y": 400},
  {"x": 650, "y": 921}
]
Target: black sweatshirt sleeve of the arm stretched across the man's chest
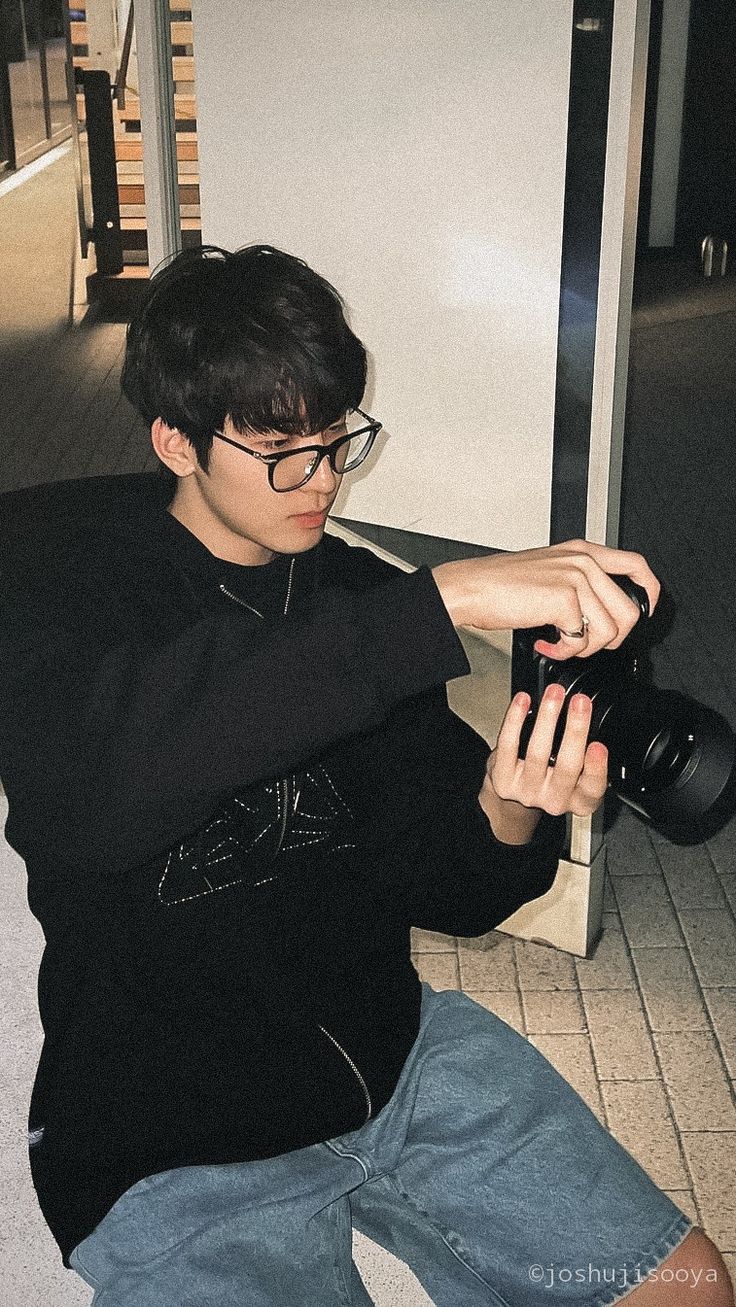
[{"x": 113, "y": 751}]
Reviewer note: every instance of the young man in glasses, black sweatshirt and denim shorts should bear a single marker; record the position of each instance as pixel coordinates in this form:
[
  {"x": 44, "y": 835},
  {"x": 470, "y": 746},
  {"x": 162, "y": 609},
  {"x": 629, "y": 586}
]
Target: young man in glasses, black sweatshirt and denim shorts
[{"x": 236, "y": 782}]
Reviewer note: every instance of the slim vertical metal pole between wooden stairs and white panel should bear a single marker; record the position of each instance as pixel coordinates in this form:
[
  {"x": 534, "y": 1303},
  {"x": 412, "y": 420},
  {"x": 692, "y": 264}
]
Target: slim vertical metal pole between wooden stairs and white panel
[{"x": 156, "y": 90}]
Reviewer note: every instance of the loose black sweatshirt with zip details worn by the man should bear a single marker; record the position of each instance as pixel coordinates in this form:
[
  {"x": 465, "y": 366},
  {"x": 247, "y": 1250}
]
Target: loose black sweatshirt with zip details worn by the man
[{"x": 231, "y": 819}]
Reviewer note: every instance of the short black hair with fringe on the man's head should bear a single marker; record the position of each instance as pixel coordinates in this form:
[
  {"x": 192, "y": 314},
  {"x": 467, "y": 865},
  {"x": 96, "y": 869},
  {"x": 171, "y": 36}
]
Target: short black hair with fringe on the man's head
[{"x": 252, "y": 335}]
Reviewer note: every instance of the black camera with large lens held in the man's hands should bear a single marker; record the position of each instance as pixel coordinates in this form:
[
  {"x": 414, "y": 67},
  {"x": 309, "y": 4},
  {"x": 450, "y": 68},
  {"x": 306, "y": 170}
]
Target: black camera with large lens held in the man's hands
[{"x": 671, "y": 759}]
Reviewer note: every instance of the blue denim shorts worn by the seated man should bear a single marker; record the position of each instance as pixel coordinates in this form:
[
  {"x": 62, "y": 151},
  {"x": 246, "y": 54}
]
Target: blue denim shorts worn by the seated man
[{"x": 486, "y": 1173}]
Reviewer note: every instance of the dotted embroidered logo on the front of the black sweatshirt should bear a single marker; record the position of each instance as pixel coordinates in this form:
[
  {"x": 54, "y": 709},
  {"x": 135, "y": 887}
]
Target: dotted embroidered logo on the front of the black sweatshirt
[{"x": 249, "y": 838}]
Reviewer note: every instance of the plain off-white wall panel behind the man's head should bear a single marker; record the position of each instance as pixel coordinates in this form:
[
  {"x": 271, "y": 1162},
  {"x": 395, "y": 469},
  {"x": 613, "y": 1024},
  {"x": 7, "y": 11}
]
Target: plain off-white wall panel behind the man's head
[{"x": 414, "y": 152}]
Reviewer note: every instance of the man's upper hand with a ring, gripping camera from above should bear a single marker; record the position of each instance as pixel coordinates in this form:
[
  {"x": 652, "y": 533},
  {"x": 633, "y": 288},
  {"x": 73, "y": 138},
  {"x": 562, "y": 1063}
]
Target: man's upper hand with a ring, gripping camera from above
[{"x": 567, "y": 586}]
